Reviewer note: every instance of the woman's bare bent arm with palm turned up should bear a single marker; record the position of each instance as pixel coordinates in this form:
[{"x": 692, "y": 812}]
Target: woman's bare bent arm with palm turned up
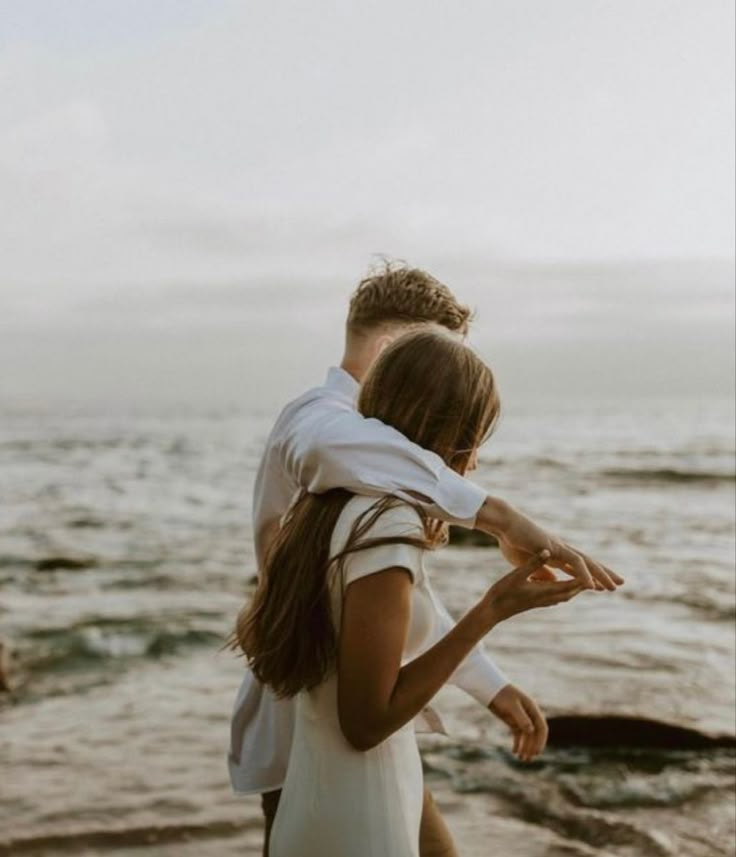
[{"x": 376, "y": 695}]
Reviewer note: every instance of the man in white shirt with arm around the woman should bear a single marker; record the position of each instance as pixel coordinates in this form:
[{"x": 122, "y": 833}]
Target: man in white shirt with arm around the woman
[{"x": 320, "y": 442}]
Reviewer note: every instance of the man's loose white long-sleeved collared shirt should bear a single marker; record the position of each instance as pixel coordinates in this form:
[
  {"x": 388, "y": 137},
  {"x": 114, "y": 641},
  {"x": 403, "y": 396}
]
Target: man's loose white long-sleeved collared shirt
[{"x": 320, "y": 442}]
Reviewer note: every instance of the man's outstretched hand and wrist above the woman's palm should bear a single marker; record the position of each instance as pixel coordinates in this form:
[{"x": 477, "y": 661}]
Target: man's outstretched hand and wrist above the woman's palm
[{"x": 520, "y": 538}]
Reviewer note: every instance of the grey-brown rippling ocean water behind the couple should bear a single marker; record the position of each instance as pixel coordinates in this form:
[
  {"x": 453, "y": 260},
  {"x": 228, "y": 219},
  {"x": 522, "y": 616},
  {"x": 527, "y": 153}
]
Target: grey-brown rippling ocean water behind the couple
[{"x": 125, "y": 553}]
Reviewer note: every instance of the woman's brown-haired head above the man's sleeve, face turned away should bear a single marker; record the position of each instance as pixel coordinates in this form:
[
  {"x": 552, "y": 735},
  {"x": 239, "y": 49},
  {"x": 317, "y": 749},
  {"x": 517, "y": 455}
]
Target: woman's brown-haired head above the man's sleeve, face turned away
[{"x": 436, "y": 391}]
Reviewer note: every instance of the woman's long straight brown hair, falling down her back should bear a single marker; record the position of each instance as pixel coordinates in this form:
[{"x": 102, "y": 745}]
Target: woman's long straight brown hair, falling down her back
[{"x": 439, "y": 394}]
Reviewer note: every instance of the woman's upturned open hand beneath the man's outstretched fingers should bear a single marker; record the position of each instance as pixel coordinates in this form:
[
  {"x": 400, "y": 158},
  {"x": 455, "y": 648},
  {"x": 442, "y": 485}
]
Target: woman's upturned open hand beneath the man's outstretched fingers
[{"x": 517, "y": 591}]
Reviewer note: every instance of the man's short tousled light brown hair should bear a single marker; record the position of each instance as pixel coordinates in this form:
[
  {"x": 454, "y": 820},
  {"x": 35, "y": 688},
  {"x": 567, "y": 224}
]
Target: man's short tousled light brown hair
[{"x": 398, "y": 294}]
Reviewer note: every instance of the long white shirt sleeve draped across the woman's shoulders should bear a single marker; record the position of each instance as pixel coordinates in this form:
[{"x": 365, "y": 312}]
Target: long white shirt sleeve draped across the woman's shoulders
[{"x": 326, "y": 445}]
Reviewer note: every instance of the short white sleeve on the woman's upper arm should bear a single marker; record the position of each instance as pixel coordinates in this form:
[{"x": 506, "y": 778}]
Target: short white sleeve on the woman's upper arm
[{"x": 397, "y": 521}]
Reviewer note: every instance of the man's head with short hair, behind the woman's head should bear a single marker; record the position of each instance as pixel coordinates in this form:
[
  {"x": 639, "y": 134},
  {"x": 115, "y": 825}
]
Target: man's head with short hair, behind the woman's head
[{"x": 392, "y": 301}]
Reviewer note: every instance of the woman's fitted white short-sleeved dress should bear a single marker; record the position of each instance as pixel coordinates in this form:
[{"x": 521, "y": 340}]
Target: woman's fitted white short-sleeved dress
[{"x": 338, "y": 801}]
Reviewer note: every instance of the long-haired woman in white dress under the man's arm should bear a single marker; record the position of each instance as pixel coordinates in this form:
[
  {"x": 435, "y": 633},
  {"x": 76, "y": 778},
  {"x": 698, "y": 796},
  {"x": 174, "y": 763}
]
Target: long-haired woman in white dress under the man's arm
[{"x": 342, "y": 618}]
